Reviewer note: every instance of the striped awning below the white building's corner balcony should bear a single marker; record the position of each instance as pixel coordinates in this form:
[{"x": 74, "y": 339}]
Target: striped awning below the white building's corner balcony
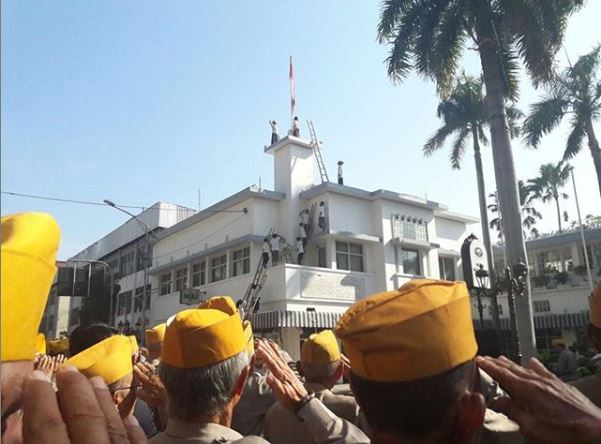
[{"x": 301, "y": 319}]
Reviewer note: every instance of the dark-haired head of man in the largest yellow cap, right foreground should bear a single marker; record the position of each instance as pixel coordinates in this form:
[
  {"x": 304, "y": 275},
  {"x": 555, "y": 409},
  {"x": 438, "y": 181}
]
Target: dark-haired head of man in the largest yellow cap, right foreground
[{"x": 412, "y": 356}]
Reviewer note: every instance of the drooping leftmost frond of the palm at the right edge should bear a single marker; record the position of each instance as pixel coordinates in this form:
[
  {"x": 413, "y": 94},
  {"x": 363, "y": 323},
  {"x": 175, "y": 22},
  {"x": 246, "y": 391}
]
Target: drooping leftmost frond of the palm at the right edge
[{"x": 544, "y": 116}]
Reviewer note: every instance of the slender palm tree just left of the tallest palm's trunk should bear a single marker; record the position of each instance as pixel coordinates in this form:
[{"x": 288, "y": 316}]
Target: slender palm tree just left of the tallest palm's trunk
[{"x": 465, "y": 114}]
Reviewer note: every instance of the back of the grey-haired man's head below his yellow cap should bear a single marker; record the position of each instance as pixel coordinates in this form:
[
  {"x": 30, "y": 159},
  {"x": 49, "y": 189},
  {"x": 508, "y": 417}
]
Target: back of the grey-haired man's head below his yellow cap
[{"x": 203, "y": 390}]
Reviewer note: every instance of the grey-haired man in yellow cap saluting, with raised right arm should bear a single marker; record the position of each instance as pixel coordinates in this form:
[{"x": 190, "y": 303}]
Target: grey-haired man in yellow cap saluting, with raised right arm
[{"x": 206, "y": 360}]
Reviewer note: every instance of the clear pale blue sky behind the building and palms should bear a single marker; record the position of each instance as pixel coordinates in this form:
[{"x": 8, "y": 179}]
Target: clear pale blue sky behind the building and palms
[{"x": 145, "y": 101}]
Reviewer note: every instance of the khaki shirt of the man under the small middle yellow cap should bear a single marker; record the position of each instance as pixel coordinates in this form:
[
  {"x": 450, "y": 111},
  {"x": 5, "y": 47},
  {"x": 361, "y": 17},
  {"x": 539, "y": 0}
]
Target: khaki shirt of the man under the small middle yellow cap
[{"x": 281, "y": 426}]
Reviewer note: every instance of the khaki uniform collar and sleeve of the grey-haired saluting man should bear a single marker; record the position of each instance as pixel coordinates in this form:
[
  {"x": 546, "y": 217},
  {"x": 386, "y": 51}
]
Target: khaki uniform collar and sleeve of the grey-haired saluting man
[{"x": 323, "y": 427}]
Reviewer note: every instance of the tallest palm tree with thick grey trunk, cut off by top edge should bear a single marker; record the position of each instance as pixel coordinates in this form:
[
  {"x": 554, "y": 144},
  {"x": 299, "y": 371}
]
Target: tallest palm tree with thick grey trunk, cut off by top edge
[{"x": 429, "y": 36}]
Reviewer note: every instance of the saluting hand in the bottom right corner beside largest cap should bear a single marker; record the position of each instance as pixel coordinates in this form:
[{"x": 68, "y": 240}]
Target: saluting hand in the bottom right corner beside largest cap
[{"x": 546, "y": 409}]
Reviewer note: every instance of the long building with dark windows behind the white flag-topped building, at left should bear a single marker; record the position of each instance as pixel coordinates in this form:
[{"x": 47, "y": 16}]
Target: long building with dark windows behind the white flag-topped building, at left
[{"x": 122, "y": 250}]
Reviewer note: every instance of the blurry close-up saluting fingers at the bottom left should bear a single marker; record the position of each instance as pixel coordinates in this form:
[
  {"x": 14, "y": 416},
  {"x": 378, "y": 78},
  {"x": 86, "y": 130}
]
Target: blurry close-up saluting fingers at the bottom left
[{"x": 81, "y": 412}]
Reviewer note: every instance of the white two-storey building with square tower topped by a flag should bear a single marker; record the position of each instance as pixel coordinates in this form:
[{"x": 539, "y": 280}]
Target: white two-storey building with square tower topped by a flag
[{"x": 372, "y": 241}]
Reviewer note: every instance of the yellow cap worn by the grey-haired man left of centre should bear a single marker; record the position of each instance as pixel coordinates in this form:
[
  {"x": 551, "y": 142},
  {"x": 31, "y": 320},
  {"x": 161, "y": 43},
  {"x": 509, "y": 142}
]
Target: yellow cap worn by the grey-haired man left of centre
[{"x": 204, "y": 336}]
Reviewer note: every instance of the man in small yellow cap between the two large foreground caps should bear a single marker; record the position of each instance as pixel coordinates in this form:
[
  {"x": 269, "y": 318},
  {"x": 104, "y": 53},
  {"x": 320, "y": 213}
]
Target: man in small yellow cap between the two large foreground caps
[{"x": 322, "y": 368}]
